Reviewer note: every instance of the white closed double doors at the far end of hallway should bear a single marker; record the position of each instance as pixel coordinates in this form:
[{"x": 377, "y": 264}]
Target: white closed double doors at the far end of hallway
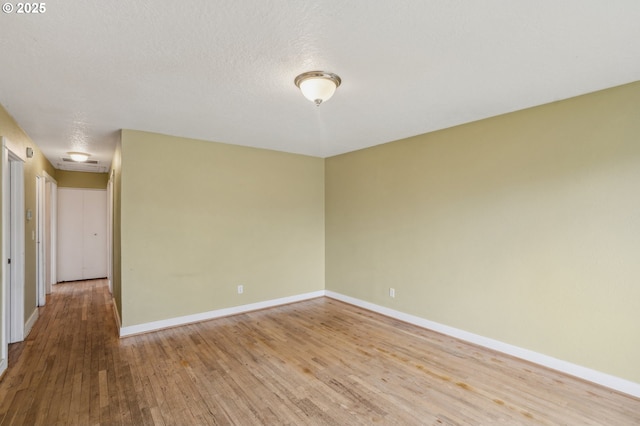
[{"x": 82, "y": 231}]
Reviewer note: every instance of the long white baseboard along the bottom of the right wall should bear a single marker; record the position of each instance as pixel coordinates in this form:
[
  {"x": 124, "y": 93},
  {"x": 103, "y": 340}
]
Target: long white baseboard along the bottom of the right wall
[{"x": 612, "y": 382}]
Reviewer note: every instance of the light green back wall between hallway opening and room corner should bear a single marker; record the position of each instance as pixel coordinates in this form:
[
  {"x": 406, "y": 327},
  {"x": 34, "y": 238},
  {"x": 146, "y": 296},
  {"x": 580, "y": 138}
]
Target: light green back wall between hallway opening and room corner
[{"x": 200, "y": 218}]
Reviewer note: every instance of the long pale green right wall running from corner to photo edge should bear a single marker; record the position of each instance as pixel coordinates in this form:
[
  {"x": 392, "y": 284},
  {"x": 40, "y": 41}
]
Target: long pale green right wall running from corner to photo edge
[{"x": 522, "y": 228}]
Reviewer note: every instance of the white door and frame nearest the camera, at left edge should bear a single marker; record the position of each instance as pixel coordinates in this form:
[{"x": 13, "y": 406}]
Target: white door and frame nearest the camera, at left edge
[{"x": 12, "y": 248}]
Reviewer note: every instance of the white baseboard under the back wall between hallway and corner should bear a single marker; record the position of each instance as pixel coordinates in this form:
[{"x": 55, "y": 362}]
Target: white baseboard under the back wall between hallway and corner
[{"x": 189, "y": 319}]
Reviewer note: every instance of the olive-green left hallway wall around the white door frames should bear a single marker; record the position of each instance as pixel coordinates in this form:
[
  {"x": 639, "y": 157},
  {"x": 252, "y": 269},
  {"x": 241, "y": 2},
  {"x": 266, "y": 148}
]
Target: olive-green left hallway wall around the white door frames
[{"x": 19, "y": 142}]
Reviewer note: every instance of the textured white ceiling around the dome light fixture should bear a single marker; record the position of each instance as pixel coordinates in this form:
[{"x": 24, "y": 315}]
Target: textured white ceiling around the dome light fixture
[{"x": 224, "y": 70}]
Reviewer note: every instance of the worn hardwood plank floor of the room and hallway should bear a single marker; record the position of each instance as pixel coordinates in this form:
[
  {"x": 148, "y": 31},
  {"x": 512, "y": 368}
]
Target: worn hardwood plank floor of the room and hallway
[{"x": 315, "y": 362}]
